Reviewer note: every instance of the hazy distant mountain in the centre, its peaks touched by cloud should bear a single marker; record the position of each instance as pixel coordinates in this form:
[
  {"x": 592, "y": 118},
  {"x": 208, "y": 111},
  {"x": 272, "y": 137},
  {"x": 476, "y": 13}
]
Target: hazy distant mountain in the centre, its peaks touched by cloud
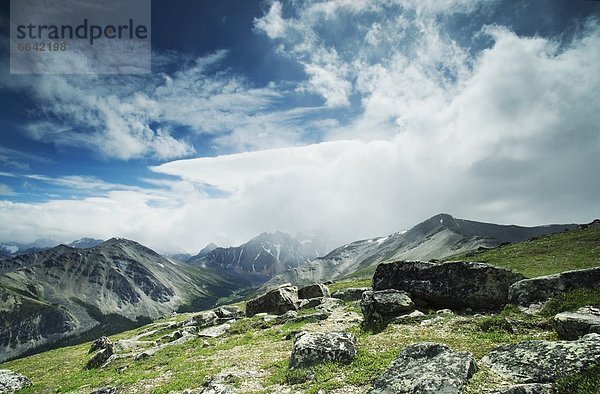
[{"x": 263, "y": 256}]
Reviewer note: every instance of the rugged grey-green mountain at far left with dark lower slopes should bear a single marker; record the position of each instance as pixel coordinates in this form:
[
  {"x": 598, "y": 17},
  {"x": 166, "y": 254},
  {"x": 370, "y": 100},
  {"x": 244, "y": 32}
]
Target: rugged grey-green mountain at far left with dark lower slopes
[{"x": 81, "y": 293}]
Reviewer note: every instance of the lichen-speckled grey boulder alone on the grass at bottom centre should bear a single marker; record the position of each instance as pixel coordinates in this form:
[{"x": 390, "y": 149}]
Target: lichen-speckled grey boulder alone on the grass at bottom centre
[{"x": 317, "y": 347}]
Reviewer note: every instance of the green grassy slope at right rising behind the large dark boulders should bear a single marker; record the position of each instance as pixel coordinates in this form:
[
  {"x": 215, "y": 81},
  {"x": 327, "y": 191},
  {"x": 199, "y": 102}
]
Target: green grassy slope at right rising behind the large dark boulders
[{"x": 570, "y": 250}]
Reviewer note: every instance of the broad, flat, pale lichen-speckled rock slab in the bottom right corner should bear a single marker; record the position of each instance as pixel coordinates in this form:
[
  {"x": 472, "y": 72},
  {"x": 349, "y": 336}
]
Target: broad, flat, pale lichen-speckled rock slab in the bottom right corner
[{"x": 543, "y": 361}]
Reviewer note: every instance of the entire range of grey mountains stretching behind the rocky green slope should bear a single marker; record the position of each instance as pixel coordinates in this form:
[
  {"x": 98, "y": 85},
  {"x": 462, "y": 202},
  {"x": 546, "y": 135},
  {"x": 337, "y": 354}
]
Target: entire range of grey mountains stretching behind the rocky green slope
[{"x": 67, "y": 294}]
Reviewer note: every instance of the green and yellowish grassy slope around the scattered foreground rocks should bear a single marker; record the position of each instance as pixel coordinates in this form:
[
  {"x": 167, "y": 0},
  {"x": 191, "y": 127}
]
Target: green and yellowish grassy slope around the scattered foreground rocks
[{"x": 267, "y": 351}]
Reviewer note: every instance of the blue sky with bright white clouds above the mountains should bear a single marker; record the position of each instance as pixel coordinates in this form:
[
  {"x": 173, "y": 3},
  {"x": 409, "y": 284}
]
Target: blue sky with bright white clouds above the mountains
[{"x": 348, "y": 119}]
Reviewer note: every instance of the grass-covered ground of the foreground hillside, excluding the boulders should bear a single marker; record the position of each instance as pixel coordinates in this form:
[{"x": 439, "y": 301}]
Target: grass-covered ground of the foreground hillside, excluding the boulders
[{"x": 252, "y": 357}]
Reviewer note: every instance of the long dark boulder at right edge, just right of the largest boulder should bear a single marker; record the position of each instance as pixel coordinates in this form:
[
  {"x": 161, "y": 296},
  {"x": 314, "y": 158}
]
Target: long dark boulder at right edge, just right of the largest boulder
[{"x": 531, "y": 291}]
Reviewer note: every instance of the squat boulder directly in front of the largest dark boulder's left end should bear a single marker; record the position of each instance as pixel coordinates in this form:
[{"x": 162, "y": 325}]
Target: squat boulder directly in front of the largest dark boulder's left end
[{"x": 382, "y": 306}]
